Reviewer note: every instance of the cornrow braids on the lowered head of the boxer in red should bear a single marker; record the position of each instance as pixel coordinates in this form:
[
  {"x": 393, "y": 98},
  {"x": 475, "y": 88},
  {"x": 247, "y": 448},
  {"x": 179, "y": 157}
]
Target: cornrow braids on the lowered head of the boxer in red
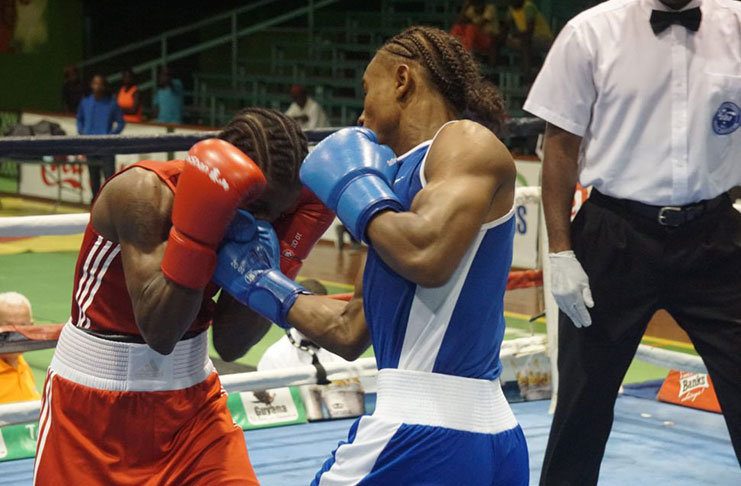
[{"x": 274, "y": 141}]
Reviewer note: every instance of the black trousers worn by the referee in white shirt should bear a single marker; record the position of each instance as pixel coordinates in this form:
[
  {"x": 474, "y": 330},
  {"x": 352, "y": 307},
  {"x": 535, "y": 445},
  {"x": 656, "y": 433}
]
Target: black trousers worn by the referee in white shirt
[{"x": 635, "y": 267}]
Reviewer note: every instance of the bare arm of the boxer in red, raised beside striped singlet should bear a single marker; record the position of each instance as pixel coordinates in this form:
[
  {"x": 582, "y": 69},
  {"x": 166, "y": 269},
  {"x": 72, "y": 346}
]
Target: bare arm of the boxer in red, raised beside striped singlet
[{"x": 134, "y": 210}]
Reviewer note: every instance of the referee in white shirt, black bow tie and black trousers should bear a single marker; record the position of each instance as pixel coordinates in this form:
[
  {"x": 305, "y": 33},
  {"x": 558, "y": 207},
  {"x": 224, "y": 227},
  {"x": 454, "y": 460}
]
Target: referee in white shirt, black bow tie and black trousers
[{"x": 642, "y": 102}]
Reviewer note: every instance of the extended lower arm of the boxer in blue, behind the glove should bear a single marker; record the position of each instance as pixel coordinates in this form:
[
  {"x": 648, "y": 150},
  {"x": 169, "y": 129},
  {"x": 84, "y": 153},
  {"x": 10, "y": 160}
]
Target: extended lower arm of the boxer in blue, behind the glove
[{"x": 333, "y": 324}]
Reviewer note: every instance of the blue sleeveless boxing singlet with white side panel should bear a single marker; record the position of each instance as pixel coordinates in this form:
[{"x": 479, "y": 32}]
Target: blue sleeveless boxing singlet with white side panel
[{"x": 455, "y": 329}]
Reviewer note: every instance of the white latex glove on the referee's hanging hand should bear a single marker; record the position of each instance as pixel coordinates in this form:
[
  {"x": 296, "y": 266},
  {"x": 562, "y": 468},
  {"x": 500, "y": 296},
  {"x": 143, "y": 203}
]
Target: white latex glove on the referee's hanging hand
[{"x": 570, "y": 287}]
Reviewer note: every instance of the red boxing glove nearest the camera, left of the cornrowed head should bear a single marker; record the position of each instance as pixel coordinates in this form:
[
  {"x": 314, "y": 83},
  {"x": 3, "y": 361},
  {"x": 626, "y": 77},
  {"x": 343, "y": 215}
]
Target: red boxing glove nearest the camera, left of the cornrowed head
[{"x": 217, "y": 178}]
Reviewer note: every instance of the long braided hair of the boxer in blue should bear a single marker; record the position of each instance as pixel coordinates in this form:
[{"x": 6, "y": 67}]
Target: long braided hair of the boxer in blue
[{"x": 453, "y": 71}]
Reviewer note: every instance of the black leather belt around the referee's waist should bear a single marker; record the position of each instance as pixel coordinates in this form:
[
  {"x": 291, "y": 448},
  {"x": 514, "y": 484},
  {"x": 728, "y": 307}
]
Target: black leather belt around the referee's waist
[{"x": 672, "y": 216}]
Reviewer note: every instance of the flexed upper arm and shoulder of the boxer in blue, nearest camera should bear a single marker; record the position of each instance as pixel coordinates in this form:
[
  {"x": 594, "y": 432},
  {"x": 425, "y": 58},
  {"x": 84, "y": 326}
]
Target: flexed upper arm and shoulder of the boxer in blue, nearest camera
[{"x": 470, "y": 180}]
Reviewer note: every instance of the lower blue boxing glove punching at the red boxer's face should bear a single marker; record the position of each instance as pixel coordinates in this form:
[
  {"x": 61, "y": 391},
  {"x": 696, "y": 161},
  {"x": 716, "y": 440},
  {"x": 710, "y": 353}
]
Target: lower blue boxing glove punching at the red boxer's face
[{"x": 248, "y": 268}]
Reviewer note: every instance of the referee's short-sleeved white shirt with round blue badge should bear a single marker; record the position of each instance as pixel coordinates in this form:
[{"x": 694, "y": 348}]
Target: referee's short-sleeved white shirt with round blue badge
[{"x": 659, "y": 114}]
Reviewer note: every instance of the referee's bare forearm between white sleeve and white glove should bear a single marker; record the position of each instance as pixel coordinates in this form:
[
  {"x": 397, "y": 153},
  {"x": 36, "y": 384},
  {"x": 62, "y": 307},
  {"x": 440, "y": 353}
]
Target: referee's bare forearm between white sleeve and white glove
[{"x": 560, "y": 169}]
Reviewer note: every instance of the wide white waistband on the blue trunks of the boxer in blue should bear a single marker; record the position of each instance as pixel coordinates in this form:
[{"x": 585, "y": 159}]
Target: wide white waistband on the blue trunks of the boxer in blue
[{"x": 437, "y": 400}]
